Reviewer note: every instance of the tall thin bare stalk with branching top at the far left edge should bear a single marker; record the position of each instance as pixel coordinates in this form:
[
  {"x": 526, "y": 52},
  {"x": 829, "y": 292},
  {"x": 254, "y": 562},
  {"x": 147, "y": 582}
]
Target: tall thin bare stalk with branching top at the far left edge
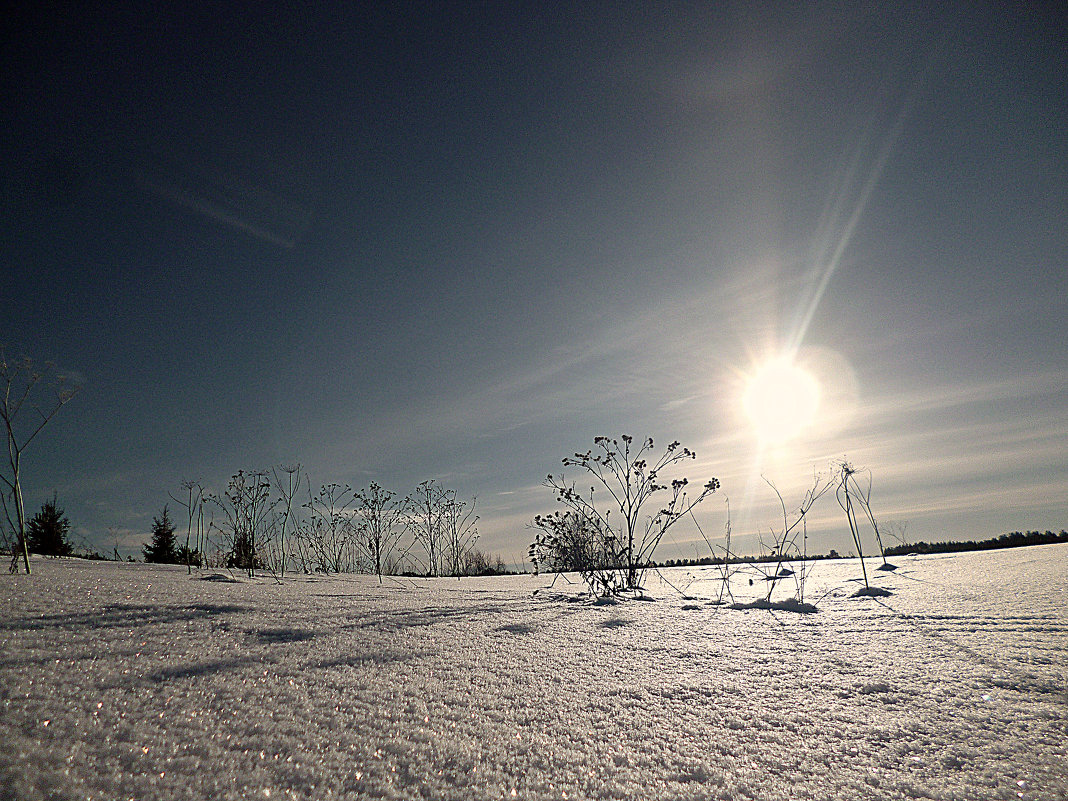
[{"x": 29, "y": 401}]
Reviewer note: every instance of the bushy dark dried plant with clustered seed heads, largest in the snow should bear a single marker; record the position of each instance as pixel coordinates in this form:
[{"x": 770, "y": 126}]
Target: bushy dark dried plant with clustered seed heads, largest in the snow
[{"x": 617, "y": 528}]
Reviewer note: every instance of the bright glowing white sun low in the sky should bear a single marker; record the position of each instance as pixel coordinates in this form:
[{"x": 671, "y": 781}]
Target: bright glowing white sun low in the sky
[{"x": 780, "y": 400}]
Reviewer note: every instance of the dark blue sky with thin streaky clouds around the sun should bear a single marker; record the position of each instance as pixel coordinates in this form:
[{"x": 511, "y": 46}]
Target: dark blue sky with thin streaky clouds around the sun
[{"x": 458, "y": 242}]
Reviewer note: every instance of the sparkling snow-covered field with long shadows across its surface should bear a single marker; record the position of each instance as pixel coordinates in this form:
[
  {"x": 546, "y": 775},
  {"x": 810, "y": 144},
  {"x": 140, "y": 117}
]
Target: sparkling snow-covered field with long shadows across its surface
[{"x": 137, "y": 682}]
